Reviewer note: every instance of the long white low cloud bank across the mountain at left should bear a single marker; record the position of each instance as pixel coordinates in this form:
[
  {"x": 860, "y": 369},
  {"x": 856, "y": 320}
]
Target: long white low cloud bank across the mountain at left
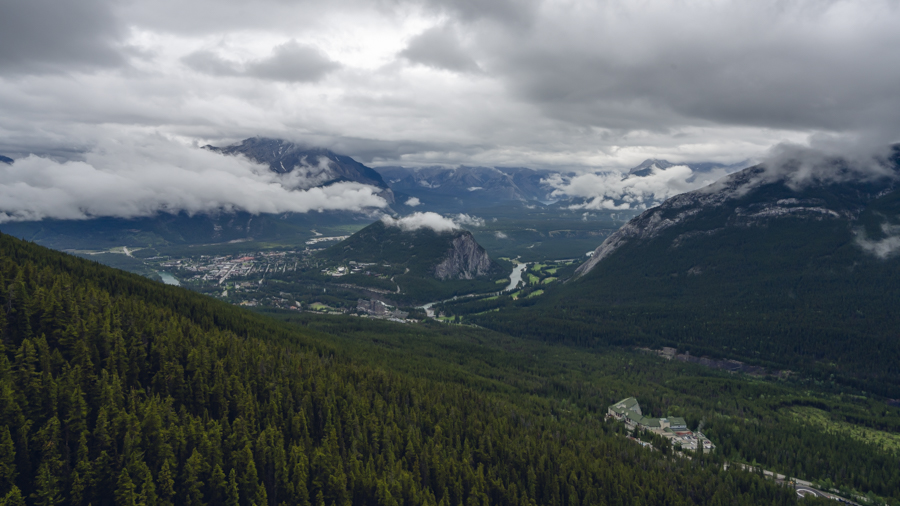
[{"x": 129, "y": 180}]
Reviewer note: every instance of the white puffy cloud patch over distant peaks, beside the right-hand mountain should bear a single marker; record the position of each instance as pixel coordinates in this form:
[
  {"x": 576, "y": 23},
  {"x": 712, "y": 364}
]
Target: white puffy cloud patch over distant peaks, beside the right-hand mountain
[{"x": 617, "y": 190}]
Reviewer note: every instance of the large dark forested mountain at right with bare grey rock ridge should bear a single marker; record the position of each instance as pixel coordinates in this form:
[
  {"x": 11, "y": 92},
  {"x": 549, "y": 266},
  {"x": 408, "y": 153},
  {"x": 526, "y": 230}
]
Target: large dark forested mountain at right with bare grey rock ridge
[{"x": 752, "y": 269}]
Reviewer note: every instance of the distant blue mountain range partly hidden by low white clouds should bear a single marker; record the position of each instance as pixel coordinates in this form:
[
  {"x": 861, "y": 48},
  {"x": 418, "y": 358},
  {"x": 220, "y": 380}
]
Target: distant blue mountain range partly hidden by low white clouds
[{"x": 442, "y": 189}]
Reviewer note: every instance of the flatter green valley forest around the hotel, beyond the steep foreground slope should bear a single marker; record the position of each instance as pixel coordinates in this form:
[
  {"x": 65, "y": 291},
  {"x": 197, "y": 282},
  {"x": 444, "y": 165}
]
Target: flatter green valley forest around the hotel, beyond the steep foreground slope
[{"x": 750, "y": 420}]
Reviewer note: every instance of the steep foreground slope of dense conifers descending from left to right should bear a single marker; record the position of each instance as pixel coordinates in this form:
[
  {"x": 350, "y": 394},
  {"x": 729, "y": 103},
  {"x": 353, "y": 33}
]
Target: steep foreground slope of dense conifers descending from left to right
[{"x": 118, "y": 390}]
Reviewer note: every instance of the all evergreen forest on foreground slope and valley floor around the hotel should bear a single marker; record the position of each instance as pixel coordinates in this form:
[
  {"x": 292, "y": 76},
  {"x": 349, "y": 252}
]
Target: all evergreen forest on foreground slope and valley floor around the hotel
[{"x": 115, "y": 389}]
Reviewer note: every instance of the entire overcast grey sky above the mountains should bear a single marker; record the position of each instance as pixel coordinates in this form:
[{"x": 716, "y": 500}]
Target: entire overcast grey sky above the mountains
[{"x": 502, "y": 82}]
